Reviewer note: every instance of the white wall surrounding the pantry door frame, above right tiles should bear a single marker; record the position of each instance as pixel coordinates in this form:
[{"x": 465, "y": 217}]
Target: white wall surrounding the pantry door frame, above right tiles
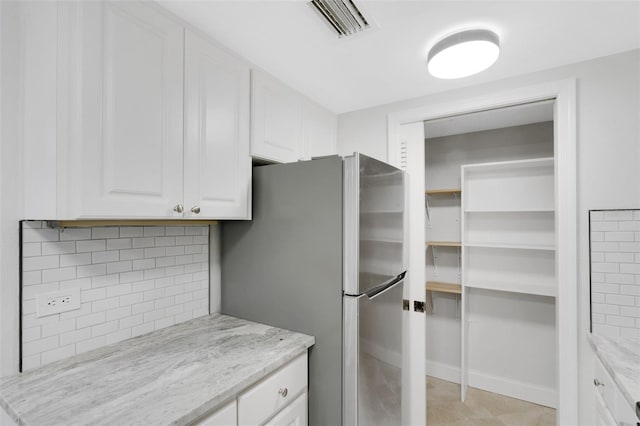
[{"x": 608, "y": 145}]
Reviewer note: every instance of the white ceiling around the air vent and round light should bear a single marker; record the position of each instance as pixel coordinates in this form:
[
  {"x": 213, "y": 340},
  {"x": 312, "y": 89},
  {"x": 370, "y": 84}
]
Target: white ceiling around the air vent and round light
[{"x": 288, "y": 40}]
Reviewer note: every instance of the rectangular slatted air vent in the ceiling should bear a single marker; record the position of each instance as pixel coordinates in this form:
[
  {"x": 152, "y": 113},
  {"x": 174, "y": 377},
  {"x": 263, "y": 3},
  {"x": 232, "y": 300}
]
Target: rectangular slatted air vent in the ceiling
[{"x": 342, "y": 16}]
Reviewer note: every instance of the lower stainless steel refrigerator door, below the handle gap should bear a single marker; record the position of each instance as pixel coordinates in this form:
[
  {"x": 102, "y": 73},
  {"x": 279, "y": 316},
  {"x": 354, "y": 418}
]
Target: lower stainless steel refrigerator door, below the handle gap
[{"x": 373, "y": 358}]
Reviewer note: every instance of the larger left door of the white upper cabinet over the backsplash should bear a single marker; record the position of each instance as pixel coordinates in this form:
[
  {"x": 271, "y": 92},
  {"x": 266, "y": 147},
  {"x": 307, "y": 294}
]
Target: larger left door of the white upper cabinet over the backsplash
[{"x": 127, "y": 153}]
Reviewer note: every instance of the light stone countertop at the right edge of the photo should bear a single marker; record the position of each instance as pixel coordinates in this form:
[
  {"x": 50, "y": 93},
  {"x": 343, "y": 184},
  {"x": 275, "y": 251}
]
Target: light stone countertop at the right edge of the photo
[{"x": 621, "y": 358}]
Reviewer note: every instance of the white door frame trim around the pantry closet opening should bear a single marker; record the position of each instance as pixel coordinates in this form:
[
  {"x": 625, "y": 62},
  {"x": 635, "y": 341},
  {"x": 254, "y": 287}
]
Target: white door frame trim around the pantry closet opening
[{"x": 564, "y": 93}]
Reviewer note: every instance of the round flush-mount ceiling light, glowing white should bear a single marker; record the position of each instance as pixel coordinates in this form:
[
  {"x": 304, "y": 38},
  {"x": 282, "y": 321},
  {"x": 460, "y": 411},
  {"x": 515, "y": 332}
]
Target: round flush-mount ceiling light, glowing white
[{"x": 463, "y": 54}]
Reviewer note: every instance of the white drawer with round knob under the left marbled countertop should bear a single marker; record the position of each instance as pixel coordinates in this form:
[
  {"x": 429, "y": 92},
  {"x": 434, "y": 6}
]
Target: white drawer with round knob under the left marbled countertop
[{"x": 266, "y": 398}]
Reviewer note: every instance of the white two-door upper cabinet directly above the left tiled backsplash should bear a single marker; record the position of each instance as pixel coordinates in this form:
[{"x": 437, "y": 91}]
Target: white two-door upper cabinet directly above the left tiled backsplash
[{"x": 158, "y": 121}]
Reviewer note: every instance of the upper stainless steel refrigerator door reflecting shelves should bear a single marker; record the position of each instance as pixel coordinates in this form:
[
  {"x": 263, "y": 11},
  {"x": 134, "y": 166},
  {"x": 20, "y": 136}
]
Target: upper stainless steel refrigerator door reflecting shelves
[{"x": 373, "y": 223}]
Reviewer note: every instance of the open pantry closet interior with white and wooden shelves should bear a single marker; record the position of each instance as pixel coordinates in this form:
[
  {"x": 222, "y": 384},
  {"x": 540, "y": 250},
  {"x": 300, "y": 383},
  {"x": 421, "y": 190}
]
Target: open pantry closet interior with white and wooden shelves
[{"x": 490, "y": 251}]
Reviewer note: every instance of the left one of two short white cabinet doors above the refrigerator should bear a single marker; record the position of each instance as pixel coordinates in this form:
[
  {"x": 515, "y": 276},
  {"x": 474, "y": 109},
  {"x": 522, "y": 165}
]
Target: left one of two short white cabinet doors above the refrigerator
[{"x": 276, "y": 120}]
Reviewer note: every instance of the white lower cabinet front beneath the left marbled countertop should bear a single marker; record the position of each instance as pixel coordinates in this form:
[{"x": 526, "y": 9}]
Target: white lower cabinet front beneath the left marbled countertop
[{"x": 280, "y": 399}]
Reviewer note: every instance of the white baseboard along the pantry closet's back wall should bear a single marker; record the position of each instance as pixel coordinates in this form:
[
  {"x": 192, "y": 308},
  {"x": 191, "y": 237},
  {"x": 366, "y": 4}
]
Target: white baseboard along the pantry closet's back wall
[{"x": 496, "y": 384}]
